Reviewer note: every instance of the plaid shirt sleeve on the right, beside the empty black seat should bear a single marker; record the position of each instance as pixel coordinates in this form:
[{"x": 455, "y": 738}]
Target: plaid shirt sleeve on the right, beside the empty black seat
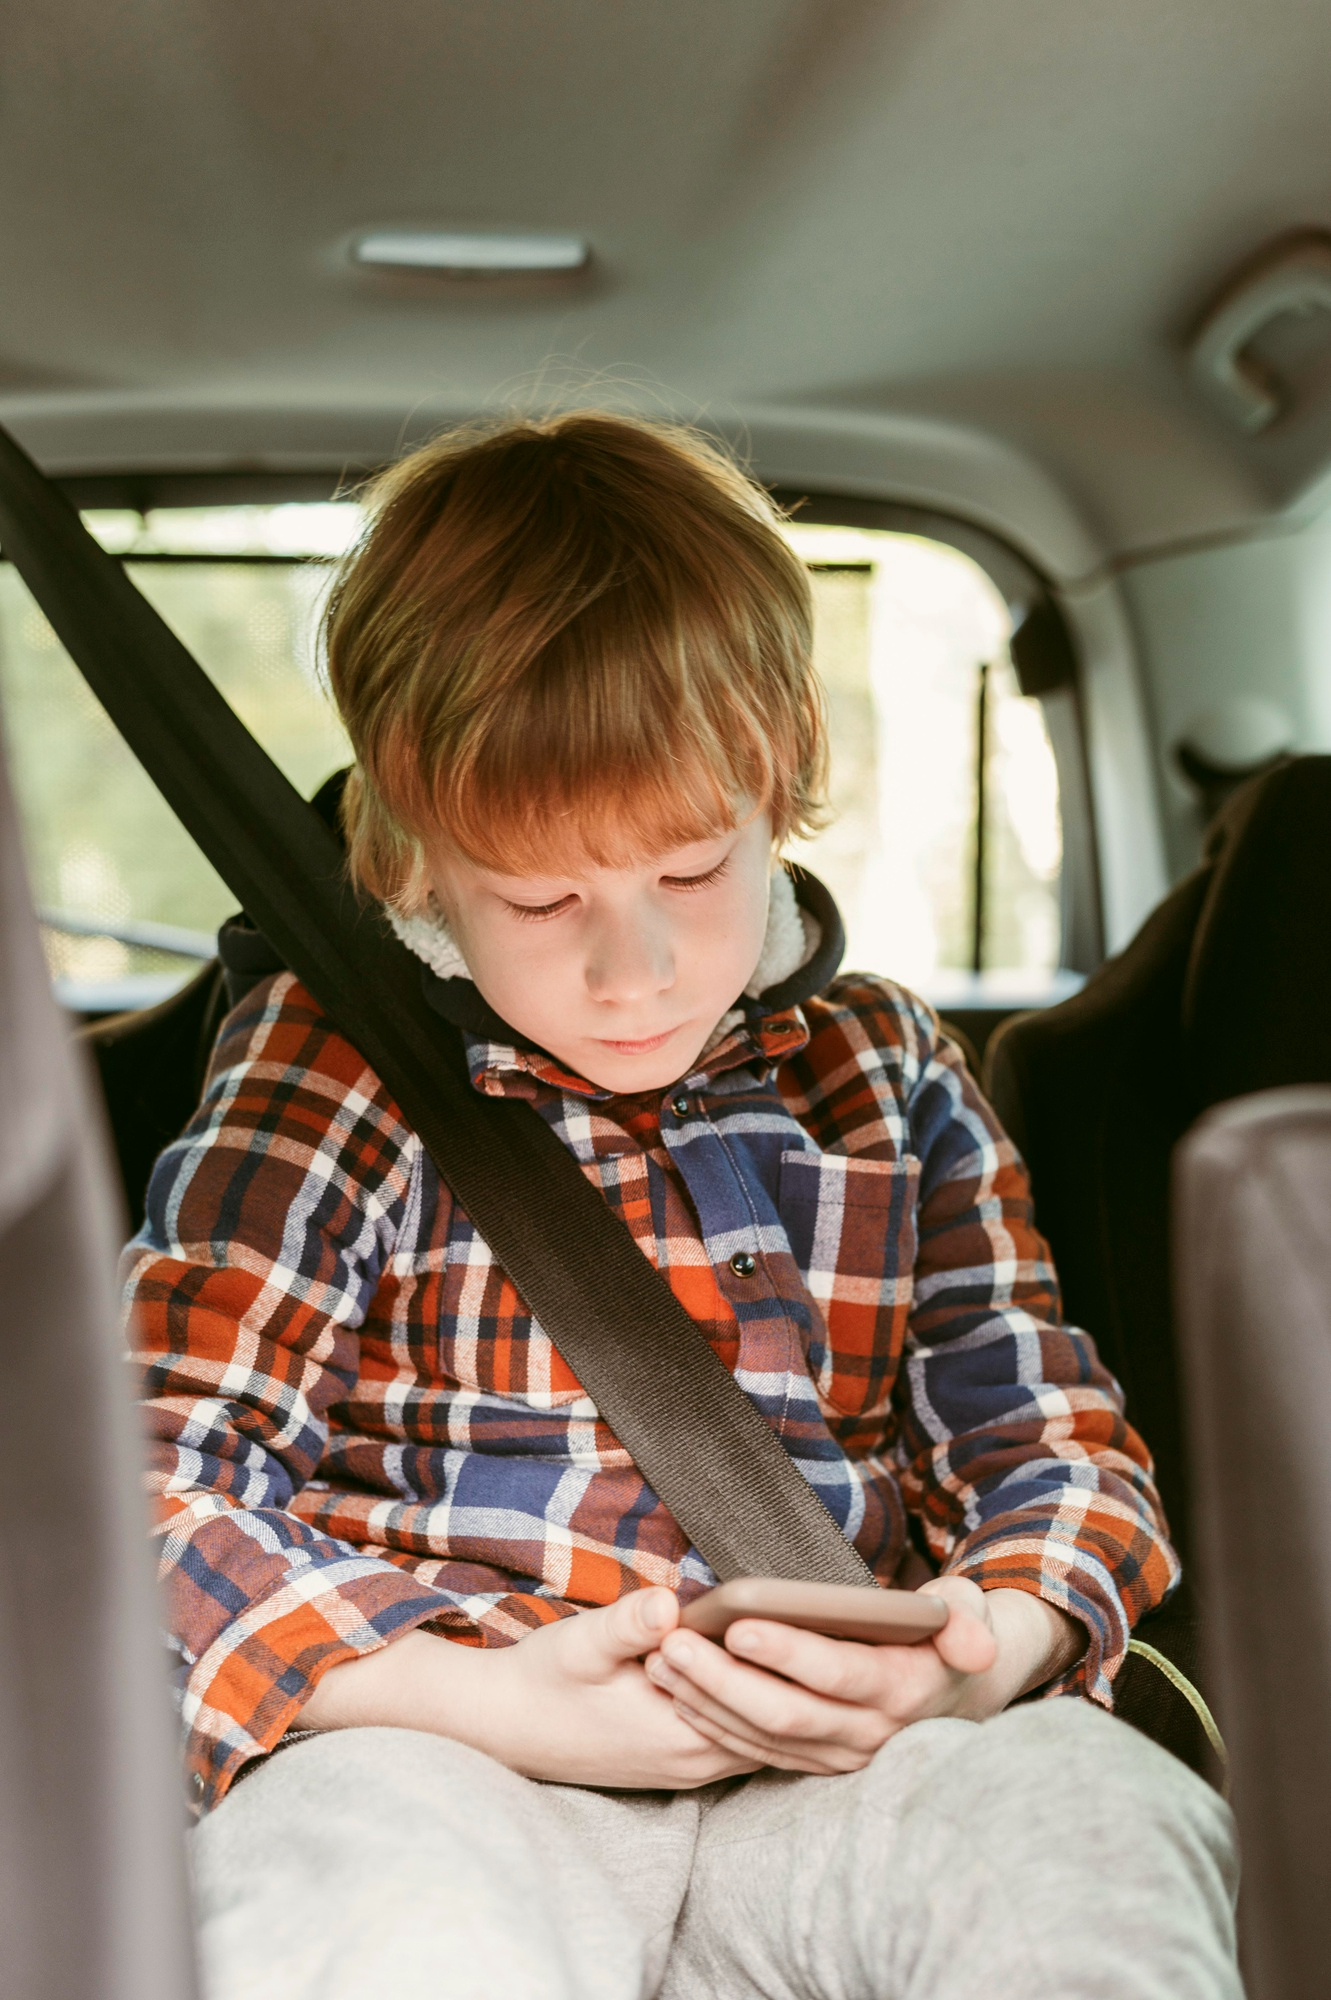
[{"x": 1016, "y": 1451}]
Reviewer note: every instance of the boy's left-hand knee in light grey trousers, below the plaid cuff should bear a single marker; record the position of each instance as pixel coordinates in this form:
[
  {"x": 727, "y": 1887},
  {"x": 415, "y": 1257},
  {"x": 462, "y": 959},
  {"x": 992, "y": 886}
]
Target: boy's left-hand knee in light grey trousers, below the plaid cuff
[{"x": 355, "y": 1861}]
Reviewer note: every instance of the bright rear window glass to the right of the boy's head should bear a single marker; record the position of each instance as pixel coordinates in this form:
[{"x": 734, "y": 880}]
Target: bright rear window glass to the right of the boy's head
[{"x": 906, "y": 633}]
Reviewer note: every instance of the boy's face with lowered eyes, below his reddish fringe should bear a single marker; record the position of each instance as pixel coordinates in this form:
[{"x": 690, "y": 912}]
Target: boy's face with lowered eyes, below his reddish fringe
[{"x": 621, "y": 973}]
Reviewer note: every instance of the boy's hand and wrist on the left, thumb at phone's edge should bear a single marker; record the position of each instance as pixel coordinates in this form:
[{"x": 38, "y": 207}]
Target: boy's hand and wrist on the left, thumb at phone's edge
[{"x": 571, "y": 1703}]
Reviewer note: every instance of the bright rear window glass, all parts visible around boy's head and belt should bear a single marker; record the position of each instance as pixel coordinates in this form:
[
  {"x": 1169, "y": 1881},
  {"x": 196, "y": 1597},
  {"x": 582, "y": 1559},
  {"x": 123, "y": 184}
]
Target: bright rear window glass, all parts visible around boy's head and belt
[{"x": 906, "y": 635}]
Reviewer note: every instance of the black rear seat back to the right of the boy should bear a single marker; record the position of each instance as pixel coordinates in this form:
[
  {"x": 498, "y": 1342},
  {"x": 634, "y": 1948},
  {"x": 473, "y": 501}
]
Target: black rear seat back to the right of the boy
[{"x": 1224, "y": 991}]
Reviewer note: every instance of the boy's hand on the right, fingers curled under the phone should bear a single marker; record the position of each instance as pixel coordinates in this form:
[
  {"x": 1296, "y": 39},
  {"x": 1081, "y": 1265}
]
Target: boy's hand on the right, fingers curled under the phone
[{"x": 826, "y": 1705}]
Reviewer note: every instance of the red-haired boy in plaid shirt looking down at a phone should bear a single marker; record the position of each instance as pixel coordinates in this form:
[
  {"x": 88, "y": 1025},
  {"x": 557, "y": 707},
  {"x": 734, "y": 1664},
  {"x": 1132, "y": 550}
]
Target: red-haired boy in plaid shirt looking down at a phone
[{"x": 407, "y": 1553}]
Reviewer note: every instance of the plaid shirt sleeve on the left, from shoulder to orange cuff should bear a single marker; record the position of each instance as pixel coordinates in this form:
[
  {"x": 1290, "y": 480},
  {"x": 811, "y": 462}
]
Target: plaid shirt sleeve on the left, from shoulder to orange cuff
[{"x": 267, "y": 1229}]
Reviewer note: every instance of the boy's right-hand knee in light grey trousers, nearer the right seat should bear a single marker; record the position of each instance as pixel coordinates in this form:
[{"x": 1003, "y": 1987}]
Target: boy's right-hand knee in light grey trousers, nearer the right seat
[{"x": 1056, "y": 1837}]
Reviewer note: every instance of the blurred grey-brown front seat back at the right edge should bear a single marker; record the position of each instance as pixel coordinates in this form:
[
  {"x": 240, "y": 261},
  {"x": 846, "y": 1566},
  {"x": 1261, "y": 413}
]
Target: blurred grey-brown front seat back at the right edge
[{"x": 1254, "y": 1285}]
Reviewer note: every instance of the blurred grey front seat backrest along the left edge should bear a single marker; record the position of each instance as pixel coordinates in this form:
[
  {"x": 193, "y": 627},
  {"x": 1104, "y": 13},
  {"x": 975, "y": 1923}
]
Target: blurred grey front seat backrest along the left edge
[{"x": 93, "y": 1865}]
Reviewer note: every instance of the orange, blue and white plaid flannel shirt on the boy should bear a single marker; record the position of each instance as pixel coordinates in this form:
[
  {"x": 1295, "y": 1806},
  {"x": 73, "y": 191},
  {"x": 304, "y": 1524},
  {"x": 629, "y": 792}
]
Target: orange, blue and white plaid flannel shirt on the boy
[{"x": 359, "y": 1429}]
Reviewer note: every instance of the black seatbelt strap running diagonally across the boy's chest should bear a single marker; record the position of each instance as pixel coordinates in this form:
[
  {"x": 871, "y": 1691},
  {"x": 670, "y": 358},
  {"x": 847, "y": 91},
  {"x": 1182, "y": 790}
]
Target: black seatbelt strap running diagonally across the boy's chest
[{"x": 649, "y": 1367}]
